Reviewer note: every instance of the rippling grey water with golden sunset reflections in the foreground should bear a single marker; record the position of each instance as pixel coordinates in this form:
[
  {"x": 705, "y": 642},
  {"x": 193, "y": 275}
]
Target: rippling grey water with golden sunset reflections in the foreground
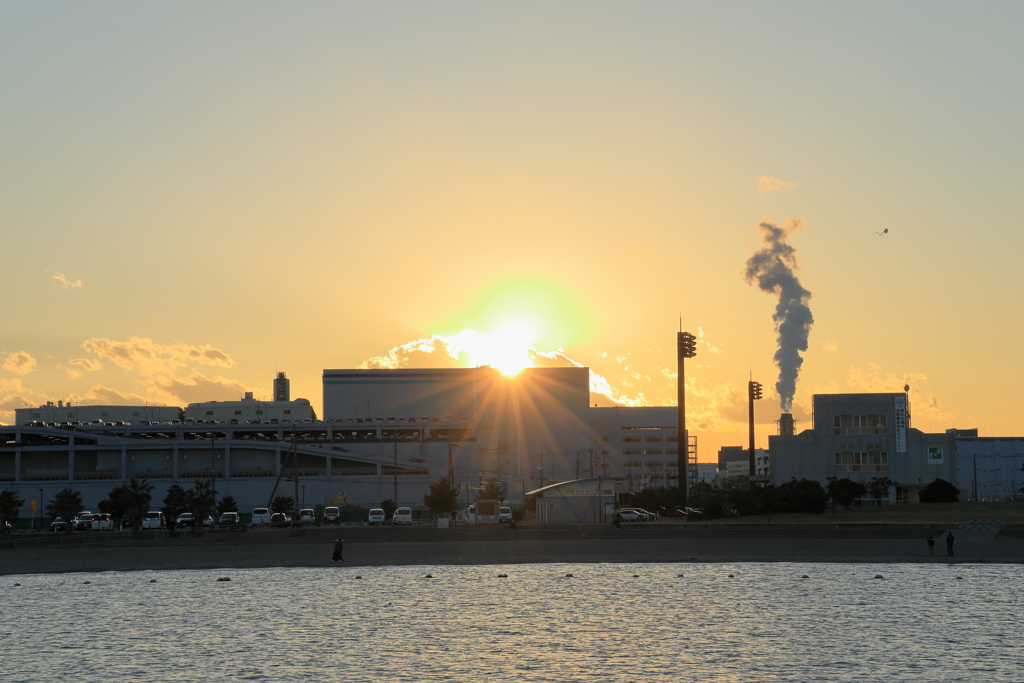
[{"x": 466, "y": 624}]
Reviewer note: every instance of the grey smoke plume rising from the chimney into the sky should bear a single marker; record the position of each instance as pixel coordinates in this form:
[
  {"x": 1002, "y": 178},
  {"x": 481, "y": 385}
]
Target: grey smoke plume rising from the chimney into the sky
[{"x": 773, "y": 269}]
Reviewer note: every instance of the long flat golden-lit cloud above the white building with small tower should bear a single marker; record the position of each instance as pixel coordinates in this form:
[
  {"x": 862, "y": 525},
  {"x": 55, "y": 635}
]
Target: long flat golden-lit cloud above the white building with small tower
[{"x": 149, "y": 358}]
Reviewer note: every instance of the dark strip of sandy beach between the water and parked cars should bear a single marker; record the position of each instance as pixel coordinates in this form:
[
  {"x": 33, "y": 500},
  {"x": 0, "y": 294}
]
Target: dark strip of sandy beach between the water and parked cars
[{"x": 424, "y": 546}]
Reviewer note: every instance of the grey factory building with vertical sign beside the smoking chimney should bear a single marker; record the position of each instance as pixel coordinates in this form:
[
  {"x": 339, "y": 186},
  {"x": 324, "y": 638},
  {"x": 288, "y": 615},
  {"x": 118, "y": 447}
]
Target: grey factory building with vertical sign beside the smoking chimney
[{"x": 861, "y": 437}]
